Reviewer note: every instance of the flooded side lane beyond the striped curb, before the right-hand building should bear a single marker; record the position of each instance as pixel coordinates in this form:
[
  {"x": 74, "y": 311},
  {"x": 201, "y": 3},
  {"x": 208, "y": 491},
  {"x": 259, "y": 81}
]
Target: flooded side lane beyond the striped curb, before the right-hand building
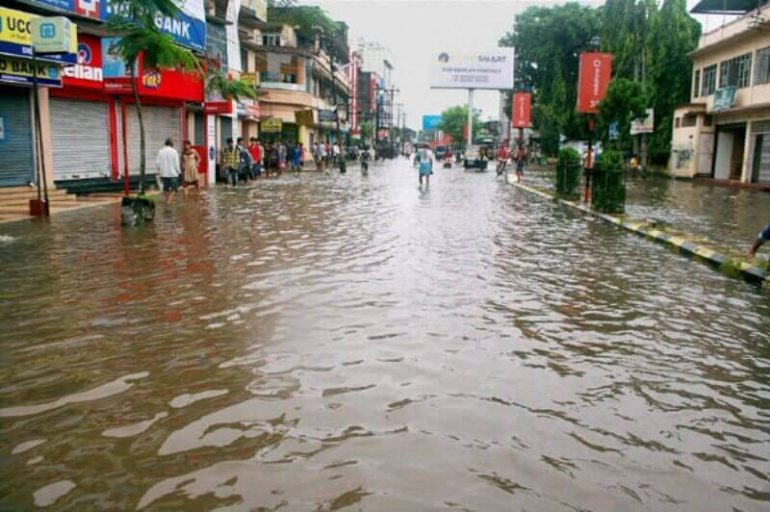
[{"x": 730, "y": 217}]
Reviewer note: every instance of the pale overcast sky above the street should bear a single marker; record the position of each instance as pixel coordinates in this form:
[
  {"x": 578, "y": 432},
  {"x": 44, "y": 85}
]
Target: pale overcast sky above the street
[{"x": 415, "y": 31}]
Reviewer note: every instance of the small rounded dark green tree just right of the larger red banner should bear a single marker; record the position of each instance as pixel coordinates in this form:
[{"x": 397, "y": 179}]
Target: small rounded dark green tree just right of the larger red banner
[{"x": 625, "y": 100}]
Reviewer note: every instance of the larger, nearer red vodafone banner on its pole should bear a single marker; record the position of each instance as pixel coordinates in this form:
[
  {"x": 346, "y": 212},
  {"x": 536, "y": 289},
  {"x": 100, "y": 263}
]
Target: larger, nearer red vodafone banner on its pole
[{"x": 593, "y": 78}]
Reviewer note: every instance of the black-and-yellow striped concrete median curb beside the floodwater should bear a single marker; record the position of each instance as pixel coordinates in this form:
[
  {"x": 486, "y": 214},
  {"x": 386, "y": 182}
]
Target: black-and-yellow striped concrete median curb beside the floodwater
[{"x": 684, "y": 244}]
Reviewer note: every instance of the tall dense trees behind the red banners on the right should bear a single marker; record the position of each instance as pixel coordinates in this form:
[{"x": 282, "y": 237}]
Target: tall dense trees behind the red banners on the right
[{"x": 649, "y": 40}]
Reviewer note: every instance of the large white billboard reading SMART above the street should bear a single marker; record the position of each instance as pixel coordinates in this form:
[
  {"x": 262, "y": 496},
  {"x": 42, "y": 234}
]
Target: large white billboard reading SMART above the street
[{"x": 492, "y": 69}]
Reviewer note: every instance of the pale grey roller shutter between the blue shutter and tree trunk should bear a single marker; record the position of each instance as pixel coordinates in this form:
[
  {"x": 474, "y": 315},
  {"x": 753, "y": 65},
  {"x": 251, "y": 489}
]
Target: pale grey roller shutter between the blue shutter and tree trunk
[{"x": 80, "y": 139}]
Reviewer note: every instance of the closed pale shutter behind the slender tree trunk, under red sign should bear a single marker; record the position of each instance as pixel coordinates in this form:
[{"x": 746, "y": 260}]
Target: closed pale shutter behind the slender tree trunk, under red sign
[{"x": 160, "y": 123}]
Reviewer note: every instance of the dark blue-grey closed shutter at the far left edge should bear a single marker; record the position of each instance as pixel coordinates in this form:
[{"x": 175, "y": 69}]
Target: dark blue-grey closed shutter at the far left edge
[{"x": 17, "y": 163}]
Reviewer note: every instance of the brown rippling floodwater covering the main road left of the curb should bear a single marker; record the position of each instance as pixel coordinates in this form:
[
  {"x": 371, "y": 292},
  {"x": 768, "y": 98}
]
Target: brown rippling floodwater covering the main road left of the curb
[{"x": 328, "y": 342}]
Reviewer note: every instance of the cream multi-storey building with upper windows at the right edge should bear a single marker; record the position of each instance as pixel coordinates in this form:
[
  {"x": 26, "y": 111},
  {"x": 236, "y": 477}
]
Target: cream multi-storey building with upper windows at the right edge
[{"x": 724, "y": 132}]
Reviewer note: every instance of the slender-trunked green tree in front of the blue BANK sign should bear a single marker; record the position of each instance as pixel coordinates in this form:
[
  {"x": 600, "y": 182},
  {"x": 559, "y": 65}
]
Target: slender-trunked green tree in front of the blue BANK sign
[{"x": 134, "y": 24}]
